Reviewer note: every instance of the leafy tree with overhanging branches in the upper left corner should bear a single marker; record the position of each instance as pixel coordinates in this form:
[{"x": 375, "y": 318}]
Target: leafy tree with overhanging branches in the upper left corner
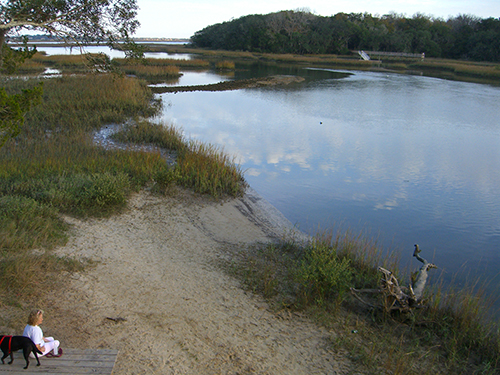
[{"x": 76, "y": 21}]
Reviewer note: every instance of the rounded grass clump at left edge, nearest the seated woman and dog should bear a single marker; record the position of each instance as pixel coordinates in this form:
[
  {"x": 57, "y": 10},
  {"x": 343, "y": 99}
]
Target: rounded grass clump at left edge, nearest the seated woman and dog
[{"x": 26, "y": 224}]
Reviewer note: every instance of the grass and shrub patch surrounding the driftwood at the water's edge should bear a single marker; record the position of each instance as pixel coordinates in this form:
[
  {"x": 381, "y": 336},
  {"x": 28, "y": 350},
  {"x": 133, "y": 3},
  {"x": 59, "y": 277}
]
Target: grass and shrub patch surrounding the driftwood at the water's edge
[{"x": 453, "y": 335}]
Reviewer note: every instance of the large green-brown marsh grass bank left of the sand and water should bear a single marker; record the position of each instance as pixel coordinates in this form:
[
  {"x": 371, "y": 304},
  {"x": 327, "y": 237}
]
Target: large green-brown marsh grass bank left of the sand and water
[{"x": 53, "y": 168}]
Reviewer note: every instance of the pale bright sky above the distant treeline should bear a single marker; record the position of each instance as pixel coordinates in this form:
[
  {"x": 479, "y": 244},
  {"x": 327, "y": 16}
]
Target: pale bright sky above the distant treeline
[{"x": 182, "y": 18}]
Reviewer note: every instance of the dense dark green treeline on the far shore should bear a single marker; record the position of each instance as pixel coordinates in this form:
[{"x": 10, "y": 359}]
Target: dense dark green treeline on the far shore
[{"x": 301, "y": 32}]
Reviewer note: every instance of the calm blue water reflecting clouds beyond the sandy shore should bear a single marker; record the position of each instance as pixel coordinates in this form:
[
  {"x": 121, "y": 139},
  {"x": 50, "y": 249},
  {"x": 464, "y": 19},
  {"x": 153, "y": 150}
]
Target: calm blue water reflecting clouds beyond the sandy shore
[{"x": 406, "y": 159}]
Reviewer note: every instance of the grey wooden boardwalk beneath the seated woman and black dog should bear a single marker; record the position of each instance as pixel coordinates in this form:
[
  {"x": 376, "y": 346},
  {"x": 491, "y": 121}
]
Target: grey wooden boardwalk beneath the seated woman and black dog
[{"x": 73, "y": 361}]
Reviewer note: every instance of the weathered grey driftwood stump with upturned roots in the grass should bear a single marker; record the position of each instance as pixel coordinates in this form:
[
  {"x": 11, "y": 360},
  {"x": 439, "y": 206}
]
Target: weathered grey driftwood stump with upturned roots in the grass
[{"x": 394, "y": 296}]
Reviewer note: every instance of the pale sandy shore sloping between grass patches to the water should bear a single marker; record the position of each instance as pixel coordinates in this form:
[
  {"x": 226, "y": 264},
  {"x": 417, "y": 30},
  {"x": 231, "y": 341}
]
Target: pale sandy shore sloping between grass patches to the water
[{"x": 175, "y": 311}]
